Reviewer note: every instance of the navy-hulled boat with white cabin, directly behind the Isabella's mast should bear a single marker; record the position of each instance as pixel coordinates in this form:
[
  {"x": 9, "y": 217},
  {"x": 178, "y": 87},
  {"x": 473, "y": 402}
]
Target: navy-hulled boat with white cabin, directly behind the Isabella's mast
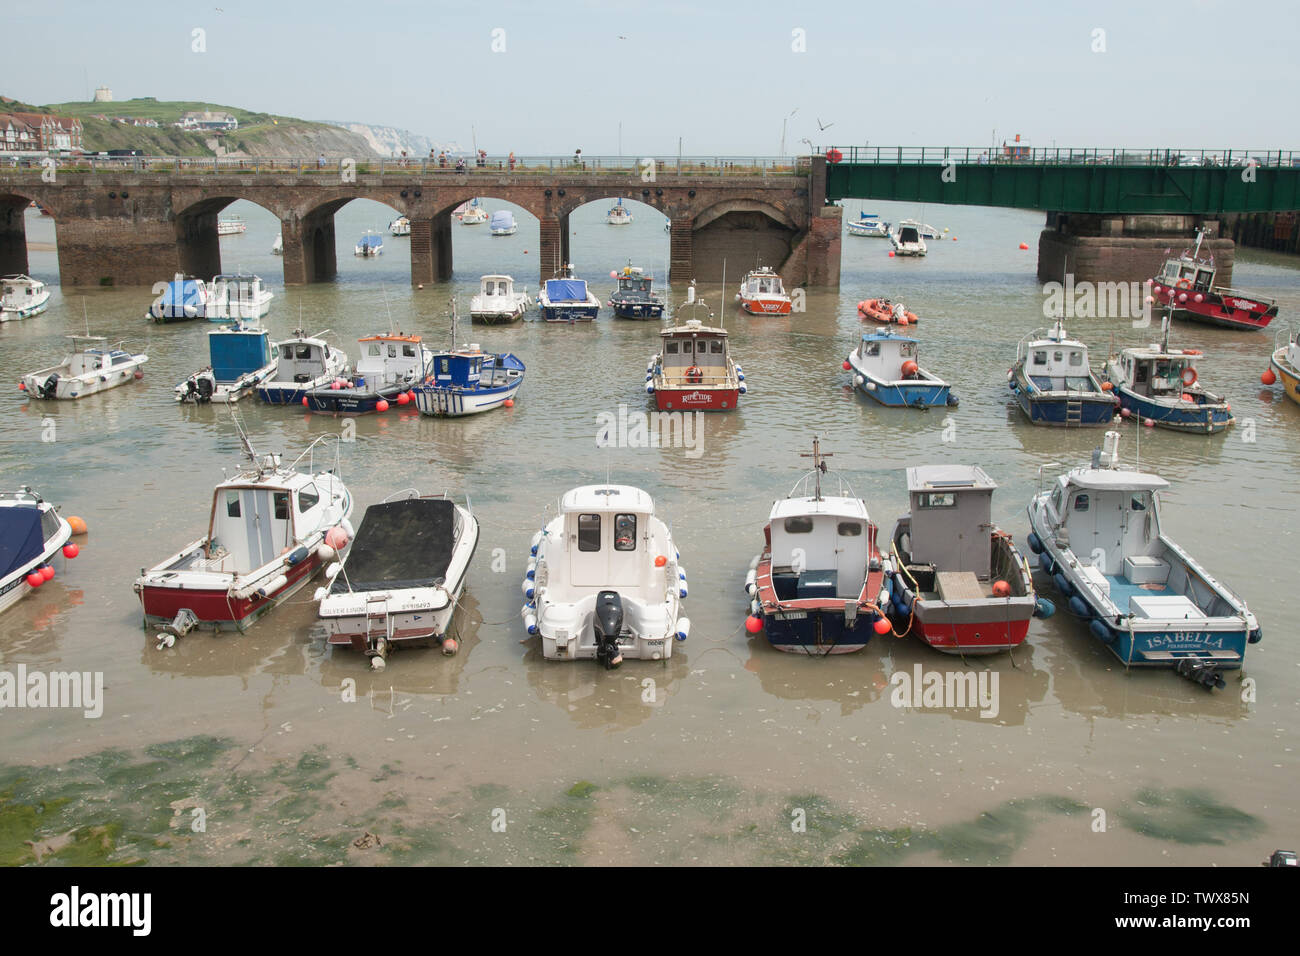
[{"x": 1054, "y": 383}]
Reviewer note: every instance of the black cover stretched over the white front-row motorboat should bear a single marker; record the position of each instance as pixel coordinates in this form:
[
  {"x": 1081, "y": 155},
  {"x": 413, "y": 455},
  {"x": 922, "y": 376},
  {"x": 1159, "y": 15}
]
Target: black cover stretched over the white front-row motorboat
[{"x": 401, "y": 544}]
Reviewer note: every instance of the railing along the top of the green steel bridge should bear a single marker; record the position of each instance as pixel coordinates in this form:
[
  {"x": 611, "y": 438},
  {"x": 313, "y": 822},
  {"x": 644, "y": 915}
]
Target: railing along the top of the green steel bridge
[{"x": 1025, "y": 155}]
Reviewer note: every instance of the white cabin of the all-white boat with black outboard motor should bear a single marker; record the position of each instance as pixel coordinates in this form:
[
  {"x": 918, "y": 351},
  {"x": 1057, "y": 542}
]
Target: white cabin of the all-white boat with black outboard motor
[{"x": 609, "y": 538}]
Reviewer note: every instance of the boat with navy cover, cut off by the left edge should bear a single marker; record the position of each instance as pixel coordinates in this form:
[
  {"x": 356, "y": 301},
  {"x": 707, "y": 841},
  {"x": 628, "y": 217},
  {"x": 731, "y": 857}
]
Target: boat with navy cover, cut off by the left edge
[{"x": 32, "y": 534}]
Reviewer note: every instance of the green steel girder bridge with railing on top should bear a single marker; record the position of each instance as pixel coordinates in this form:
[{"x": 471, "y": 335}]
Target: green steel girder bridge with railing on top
[{"x": 1203, "y": 183}]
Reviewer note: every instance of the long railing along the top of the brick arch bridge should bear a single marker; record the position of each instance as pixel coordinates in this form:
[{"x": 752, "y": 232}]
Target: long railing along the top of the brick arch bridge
[{"x": 643, "y": 167}]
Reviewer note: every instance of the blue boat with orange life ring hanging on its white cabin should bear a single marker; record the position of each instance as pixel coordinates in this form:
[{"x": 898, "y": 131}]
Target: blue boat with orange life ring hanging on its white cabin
[{"x": 1162, "y": 386}]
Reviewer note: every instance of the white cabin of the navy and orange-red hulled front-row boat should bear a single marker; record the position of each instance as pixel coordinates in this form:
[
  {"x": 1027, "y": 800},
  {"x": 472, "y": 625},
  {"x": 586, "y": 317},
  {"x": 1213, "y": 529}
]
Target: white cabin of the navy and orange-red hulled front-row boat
[{"x": 820, "y": 547}]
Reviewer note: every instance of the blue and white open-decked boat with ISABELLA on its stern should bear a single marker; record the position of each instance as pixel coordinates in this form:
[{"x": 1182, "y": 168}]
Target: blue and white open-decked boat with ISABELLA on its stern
[{"x": 1142, "y": 595}]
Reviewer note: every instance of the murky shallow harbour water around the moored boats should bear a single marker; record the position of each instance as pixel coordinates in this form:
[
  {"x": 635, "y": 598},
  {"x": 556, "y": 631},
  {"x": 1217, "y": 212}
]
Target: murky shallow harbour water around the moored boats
[{"x": 729, "y": 752}]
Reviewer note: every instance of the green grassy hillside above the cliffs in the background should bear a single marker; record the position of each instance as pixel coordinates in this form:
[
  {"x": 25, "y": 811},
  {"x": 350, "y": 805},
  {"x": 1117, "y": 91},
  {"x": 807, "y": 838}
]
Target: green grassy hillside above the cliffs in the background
[{"x": 259, "y": 135}]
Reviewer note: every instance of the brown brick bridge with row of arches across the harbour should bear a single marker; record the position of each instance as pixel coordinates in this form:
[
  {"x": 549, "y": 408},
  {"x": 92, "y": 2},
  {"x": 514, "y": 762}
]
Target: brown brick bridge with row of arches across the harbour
[{"x": 132, "y": 228}]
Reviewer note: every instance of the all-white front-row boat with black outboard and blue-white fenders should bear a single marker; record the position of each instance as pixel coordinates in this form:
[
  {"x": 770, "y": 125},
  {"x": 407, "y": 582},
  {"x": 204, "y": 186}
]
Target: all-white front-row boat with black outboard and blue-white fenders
[{"x": 604, "y": 579}]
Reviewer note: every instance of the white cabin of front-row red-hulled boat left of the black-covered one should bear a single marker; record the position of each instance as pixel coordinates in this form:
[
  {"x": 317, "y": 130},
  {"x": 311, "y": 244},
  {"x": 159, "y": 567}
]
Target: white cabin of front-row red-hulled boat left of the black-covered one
[{"x": 255, "y": 518}]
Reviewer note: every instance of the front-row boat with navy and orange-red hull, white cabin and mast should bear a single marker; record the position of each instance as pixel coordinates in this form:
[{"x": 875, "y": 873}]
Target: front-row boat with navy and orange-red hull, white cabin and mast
[{"x": 820, "y": 585}]
